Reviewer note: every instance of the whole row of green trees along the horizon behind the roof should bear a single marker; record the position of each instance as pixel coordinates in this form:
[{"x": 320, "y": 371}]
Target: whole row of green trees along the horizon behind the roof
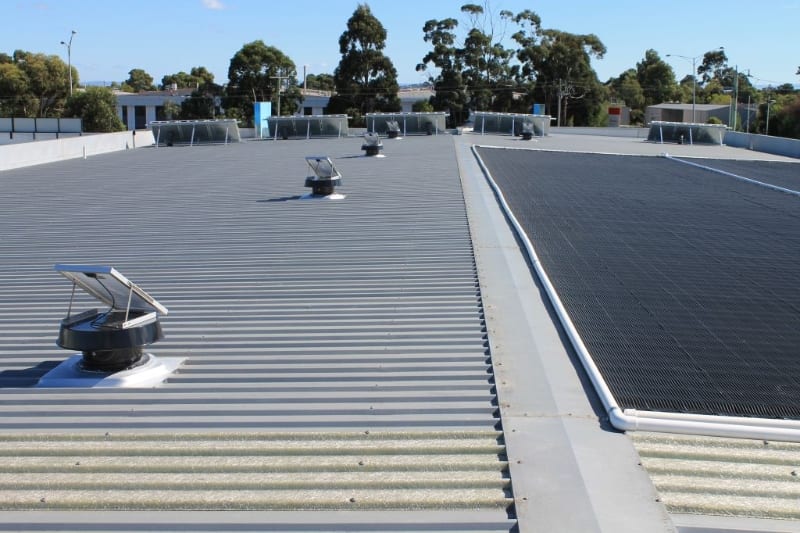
[{"x": 488, "y": 61}]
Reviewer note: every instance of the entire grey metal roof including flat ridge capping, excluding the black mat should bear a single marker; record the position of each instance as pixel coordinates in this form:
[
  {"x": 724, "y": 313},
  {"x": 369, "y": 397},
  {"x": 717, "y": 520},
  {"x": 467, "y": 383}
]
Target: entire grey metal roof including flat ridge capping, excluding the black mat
[{"x": 382, "y": 362}]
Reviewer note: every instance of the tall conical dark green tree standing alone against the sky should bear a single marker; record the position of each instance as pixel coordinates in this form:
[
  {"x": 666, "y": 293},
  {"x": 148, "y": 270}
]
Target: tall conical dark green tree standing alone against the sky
[{"x": 365, "y": 79}]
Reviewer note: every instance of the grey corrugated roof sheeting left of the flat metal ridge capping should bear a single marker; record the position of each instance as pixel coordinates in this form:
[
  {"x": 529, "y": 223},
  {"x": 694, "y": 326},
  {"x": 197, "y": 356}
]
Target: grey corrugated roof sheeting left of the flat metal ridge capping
[{"x": 328, "y": 319}]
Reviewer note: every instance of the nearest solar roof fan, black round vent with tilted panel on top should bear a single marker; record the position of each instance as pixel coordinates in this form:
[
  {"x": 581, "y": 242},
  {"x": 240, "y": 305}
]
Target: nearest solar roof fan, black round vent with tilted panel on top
[{"x": 112, "y": 340}]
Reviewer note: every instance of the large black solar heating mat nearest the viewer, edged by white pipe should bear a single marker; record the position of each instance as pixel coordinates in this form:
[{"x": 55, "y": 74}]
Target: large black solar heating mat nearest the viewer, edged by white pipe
[{"x": 684, "y": 284}]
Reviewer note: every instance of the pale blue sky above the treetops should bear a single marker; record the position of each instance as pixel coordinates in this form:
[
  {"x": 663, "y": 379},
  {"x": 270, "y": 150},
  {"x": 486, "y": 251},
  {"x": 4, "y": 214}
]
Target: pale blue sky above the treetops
[{"x": 164, "y": 37}]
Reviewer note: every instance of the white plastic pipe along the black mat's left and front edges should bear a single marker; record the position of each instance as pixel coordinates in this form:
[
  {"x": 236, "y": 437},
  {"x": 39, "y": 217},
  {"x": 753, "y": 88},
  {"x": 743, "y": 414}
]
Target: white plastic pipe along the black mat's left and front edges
[{"x": 632, "y": 419}]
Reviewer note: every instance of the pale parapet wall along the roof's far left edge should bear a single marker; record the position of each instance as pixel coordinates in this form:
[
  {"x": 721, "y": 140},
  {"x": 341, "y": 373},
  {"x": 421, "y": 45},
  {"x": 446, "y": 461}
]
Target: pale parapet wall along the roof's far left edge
[{"x": 38, "y": 152}]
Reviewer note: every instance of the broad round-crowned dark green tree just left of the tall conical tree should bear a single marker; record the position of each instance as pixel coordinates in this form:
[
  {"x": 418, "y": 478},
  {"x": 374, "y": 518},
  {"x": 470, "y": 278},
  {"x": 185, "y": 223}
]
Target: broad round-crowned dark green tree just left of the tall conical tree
[{"x": 261, "y": 73}]
